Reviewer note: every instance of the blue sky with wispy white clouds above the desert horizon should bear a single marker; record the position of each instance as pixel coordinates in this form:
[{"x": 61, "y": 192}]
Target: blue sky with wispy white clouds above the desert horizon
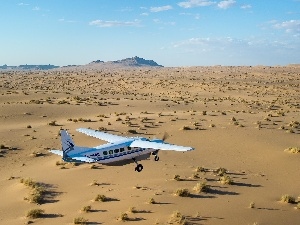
[{"x": 172, "y": 33}]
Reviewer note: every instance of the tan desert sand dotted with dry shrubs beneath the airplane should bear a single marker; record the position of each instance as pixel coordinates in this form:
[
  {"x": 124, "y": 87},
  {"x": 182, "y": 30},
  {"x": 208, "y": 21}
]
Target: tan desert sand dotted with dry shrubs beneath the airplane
[{"x": 239, "y": 118}]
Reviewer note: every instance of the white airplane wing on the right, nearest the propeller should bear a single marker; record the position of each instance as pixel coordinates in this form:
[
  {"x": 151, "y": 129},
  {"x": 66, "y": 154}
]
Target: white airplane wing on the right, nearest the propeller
[{"x": 161, "y": 146}]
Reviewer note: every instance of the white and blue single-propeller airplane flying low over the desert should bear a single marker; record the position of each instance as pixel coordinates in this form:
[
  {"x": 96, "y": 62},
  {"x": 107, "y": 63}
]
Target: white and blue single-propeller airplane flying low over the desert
[{"x": 118, "y": 149}]
